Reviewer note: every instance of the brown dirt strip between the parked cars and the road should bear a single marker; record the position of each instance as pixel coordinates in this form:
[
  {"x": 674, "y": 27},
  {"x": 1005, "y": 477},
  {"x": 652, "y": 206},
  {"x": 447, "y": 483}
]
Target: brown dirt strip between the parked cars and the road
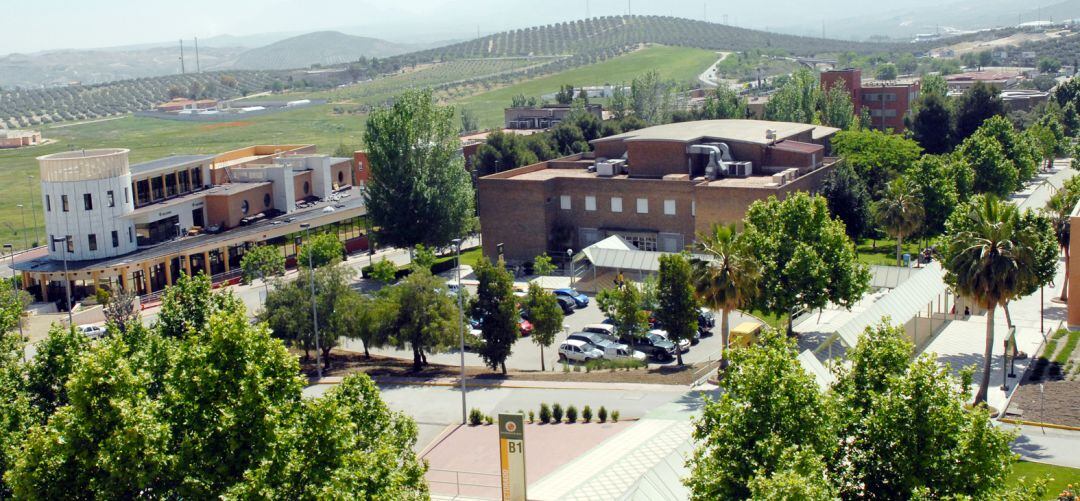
[{"x": 344, "y": 363}]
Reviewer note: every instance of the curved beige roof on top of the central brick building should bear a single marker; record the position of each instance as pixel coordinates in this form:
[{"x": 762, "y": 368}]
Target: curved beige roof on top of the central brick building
[{"x": 744, "y": 131}]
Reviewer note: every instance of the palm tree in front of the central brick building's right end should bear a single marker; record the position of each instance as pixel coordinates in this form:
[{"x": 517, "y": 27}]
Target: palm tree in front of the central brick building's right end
[{"x": 726, "y": 277}]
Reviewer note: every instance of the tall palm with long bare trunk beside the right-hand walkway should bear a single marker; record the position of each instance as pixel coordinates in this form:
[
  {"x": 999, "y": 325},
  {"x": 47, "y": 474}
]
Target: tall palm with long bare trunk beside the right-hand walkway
[{"x": 987, "y": 256}]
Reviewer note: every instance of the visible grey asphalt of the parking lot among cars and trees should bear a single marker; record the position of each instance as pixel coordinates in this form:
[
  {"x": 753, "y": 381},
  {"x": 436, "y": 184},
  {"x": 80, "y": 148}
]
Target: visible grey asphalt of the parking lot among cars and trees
[{"x": 526, "y": 354}]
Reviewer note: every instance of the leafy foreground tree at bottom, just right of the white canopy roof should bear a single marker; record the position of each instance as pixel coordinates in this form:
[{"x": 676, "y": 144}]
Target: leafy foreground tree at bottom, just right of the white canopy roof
[{"x": 766, "y": 407}]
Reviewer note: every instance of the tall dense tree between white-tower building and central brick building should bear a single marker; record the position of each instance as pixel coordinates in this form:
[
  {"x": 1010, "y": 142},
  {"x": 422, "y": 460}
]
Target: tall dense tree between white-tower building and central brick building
[{"x": 418, "y": 191}]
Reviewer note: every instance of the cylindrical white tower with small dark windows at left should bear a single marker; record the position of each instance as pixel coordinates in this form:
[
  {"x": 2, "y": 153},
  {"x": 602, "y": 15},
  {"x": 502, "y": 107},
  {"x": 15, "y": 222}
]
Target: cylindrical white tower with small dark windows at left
[{"x": 87, "y": 196}]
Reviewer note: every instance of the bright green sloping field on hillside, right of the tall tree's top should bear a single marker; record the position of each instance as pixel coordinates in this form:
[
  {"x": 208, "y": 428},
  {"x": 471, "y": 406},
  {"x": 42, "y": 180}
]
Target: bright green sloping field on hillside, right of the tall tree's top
[{"x": 681, "y": 64}]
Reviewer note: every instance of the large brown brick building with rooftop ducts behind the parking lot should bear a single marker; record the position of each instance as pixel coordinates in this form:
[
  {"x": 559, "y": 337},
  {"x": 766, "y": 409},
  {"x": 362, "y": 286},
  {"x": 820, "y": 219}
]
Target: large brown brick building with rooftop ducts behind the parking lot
[{"x": 657, "y": 187}]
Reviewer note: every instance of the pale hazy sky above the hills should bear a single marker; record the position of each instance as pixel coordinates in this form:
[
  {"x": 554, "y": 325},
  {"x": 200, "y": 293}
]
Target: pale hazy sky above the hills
[{"x": 38, "y": 25}]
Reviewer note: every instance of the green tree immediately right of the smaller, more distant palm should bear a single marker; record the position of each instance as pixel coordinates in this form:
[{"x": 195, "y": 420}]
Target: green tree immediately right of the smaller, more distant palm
[{"x": 936, "y": 192}]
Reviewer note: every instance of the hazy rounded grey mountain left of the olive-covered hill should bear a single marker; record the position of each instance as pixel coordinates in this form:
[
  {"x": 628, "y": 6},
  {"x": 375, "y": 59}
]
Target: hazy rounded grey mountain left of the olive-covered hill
[{"x": 321, "y": 48}]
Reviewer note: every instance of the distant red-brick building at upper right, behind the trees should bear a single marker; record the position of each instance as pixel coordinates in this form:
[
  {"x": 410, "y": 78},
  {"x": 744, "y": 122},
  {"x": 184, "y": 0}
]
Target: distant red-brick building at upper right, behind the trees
[{"x": 888, "y": 103}]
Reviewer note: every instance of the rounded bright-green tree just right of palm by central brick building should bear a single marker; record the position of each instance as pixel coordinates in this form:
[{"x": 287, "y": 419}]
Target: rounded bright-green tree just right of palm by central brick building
[{"x": 807, "y": 260}]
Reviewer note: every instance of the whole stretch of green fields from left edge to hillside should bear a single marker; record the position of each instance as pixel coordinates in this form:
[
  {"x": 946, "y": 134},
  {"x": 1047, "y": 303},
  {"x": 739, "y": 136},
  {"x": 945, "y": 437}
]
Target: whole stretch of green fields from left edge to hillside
[{"x": 327, "y": 126}]
